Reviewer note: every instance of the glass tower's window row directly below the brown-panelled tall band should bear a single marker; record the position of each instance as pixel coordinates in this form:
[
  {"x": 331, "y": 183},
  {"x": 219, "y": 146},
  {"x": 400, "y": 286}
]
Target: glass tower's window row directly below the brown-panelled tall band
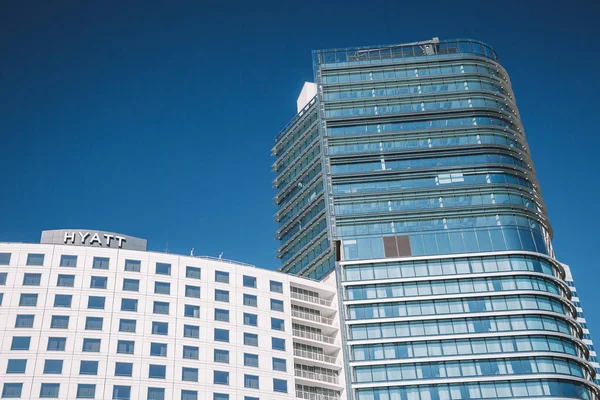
[{"x": 456, "y": 266}]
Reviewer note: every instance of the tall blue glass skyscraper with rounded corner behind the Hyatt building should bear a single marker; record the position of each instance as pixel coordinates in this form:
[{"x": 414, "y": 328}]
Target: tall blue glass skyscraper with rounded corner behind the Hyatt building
[{"x": 409, "y": 175}]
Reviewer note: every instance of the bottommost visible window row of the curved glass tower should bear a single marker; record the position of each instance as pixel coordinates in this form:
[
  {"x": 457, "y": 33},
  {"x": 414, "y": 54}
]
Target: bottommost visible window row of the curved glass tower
[{"x": 483, "y": 390}]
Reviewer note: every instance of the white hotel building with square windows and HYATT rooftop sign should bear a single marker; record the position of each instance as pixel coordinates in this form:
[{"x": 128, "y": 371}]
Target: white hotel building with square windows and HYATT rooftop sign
[{"x": 92, "y": 320}]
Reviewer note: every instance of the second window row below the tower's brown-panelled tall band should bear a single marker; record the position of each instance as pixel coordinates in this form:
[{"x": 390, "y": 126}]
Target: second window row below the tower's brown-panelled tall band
[{"x": 453, "y": 286}]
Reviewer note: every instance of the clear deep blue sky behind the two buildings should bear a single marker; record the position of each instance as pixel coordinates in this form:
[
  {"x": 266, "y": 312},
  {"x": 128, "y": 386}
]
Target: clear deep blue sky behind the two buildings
[{"x": 156, "y": 118}]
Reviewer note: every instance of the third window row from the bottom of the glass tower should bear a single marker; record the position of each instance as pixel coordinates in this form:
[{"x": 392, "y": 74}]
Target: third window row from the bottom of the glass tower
[{"x": 465, "y": 347}]
